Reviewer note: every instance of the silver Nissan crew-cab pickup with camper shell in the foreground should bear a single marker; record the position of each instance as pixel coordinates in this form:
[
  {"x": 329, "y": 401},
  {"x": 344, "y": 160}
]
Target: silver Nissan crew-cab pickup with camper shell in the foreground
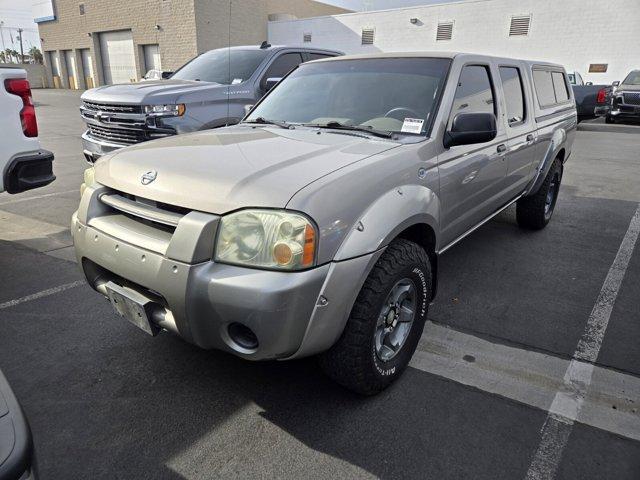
[{"x": 314, "y": 226}]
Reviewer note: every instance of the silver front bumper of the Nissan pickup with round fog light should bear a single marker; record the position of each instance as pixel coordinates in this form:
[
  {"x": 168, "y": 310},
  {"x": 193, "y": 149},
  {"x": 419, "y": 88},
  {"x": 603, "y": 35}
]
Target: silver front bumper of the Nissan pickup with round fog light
[{"x": 291, "y": 314}]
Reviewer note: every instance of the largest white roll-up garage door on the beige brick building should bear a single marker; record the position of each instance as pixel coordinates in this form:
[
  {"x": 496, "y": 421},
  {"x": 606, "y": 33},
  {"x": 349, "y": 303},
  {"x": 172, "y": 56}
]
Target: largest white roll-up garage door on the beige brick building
[{"x": 118, "y": 59}]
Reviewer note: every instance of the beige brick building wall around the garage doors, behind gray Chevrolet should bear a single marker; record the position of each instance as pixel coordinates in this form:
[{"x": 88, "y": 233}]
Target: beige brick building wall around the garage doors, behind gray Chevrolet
[{"x": 181, "y": 28}]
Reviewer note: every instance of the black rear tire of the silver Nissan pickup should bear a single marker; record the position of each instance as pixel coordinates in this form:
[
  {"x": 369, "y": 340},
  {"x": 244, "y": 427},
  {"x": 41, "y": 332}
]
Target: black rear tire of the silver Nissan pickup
[{"x": 530, "y": 211}]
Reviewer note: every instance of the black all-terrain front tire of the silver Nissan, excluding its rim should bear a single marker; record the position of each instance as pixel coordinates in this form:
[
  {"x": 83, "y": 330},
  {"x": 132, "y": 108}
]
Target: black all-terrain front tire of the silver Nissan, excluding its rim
[{"x": 353, "y": 361}]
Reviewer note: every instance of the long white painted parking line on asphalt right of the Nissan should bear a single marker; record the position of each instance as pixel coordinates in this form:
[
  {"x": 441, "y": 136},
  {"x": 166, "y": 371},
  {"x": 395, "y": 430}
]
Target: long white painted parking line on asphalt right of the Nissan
[{"x": 570, "y": 399}]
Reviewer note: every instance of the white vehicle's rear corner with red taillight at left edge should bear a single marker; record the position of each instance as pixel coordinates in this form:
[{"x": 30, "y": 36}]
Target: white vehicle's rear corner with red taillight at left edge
[{"x": 23, "y": 163}]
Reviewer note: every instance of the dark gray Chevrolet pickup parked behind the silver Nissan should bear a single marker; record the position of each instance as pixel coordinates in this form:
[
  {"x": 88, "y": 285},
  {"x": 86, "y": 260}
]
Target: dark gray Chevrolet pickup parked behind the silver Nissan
[{"x": 210, "y": 91}]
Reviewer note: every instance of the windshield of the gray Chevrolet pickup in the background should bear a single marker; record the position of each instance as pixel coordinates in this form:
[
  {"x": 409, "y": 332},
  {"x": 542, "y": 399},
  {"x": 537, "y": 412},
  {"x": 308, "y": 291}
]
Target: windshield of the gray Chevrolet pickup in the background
[{"x": 213, "y": 66}]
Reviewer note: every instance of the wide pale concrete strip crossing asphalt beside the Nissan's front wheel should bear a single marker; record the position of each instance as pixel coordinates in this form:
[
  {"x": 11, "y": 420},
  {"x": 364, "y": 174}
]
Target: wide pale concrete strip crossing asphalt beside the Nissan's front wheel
[{"x": 531, "y": 378}]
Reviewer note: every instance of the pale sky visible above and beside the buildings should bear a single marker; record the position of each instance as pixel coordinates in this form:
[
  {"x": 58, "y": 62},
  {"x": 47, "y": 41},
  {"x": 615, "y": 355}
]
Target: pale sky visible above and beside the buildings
[{"x": 17, "y": 14}]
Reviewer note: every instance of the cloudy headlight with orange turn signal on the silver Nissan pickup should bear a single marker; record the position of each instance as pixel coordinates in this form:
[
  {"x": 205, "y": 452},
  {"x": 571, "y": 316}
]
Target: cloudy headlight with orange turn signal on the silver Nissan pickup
[{"x": 266, "y": 239}]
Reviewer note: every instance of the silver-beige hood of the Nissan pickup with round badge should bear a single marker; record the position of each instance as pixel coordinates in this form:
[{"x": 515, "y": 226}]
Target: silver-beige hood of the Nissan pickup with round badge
[{"x": 234, "y": 167}]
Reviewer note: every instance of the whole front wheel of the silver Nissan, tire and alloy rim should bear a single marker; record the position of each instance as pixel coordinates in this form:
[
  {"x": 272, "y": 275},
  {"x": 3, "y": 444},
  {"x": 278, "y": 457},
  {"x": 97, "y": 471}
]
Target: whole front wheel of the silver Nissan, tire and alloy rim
[{"x": 386, "y": 321}]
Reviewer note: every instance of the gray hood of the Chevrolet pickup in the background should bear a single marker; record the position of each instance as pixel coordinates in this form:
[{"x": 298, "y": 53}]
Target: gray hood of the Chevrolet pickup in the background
[{"x": 153, "y": 92}]
